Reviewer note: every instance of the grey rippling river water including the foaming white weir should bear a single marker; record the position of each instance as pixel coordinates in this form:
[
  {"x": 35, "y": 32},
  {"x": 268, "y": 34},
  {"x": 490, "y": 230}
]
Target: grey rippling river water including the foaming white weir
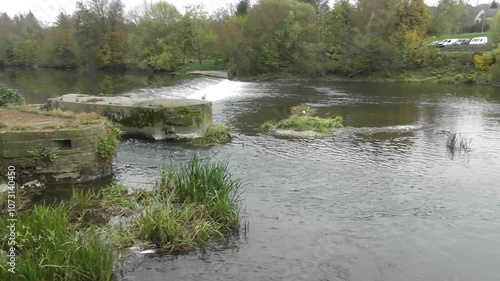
[{"x": 382, "y": 200}]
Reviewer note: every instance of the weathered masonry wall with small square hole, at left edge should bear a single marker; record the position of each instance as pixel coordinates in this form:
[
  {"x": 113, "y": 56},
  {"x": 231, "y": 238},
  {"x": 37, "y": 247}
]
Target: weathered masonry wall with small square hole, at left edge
[{"x": 62, "y": 156}]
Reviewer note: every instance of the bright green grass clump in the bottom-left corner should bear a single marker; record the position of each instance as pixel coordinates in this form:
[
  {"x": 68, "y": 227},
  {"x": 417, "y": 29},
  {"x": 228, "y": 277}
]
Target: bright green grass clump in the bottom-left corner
[{"x": 51, "y": 248}]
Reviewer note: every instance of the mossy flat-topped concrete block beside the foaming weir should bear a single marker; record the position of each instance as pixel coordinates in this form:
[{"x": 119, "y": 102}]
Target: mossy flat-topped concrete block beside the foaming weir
[{"x": 157, "y": 119}]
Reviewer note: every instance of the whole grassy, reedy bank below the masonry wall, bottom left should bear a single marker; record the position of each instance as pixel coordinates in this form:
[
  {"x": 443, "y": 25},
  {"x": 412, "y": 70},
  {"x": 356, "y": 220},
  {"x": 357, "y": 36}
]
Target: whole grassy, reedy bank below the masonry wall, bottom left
[{"x": 189, "y": 208}]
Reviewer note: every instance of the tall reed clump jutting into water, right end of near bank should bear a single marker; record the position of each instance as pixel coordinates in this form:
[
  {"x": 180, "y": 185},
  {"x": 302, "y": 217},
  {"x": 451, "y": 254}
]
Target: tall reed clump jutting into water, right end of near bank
[{"x": 193, "y": 205}]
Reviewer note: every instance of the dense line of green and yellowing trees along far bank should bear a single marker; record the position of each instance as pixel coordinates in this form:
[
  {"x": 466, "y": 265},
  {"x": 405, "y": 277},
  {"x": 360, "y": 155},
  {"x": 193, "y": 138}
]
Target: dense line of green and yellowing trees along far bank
[{"x": 306, "y": 36}]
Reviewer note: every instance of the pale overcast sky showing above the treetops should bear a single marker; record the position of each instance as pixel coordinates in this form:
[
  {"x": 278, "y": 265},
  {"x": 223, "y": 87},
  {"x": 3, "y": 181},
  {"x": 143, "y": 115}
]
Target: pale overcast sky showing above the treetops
[{"x": 47, "y": 10}]
